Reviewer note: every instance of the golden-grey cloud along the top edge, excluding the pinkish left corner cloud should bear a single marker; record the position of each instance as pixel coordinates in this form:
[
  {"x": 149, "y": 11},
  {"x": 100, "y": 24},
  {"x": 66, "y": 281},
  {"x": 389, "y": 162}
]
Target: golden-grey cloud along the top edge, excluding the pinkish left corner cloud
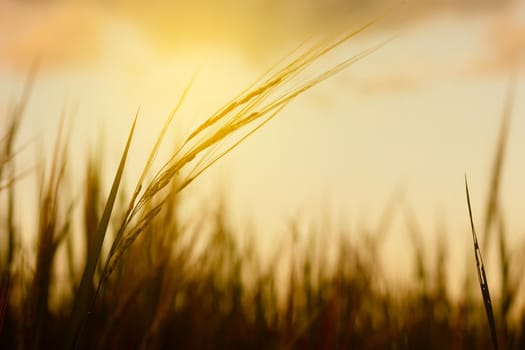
[{"x": 260, "y": 24}]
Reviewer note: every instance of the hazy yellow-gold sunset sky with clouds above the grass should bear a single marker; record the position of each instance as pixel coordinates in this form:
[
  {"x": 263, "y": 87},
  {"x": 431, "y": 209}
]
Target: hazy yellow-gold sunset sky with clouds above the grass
[{"x": 411, "y": 118}]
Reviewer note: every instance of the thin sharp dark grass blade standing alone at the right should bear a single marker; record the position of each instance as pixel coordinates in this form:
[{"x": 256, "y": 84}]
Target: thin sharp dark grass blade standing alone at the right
[{"x": 481, "y": 275}]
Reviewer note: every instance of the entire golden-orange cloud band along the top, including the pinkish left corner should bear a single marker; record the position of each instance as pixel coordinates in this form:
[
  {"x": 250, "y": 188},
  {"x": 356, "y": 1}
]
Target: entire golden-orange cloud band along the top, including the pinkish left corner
[{"x": 65, "y": 32}]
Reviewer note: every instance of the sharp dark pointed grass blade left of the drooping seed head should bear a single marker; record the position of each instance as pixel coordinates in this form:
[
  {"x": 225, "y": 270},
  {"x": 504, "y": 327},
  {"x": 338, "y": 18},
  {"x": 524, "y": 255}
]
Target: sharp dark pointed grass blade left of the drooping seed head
[{"x": 79, "y": 313}]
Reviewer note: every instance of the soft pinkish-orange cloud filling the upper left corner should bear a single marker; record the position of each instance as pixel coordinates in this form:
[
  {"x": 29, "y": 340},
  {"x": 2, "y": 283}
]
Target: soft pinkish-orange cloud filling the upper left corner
[{"x": 54, "y": 34}]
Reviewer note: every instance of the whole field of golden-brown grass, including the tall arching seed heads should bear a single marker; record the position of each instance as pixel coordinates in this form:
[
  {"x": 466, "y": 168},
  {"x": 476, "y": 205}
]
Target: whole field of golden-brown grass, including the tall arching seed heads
[{"x": 167, "y": 284}]
